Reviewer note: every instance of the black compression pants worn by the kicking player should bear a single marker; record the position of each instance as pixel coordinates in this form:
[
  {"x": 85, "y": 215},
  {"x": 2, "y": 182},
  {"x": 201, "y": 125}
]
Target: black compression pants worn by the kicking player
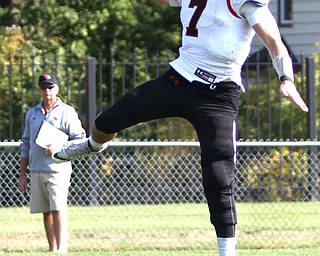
[{"x": 211, "y": 112}]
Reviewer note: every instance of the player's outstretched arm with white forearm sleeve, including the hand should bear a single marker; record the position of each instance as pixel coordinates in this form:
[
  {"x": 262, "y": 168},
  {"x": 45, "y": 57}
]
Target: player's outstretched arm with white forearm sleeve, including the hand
[{"x": 268, "y": 31}]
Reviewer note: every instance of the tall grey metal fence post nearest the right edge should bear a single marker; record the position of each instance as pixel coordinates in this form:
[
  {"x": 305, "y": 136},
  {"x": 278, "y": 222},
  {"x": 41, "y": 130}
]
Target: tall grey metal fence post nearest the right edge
[{"x": 312, "y": 117}]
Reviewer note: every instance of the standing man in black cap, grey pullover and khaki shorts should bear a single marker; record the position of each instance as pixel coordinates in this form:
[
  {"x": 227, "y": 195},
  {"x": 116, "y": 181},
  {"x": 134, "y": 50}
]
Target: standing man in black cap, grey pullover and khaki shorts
[{"x": 50, "y": 181}]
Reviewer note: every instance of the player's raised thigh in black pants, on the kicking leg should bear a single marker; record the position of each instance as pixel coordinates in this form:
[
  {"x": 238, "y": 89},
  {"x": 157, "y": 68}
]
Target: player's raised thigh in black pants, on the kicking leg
[{"x": 149, "y": 101}]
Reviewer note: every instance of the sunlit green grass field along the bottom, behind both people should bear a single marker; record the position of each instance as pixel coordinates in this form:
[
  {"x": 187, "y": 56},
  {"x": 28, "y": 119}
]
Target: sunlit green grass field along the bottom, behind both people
[{"x": 176, "y": 229}]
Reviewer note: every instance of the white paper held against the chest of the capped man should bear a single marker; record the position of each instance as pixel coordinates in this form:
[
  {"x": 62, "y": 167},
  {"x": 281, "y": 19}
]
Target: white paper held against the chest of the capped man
[{"x": 48, "y": 134}]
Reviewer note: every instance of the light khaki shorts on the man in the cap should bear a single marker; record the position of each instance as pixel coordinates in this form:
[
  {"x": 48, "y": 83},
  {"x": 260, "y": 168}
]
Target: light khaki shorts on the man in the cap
[{"x": 49, "y": 191}]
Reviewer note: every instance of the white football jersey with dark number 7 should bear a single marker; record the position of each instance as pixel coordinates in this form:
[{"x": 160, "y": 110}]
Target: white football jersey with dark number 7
[{"x": 216, "y": 40}]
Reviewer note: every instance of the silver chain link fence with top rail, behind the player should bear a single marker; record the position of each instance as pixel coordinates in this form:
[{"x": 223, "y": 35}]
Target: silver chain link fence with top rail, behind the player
[{"x": 148, "y": 196}]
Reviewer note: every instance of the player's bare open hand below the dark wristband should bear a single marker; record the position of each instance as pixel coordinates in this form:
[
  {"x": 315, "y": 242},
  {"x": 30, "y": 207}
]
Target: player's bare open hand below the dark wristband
[{"x": 289, "y": 90}]
